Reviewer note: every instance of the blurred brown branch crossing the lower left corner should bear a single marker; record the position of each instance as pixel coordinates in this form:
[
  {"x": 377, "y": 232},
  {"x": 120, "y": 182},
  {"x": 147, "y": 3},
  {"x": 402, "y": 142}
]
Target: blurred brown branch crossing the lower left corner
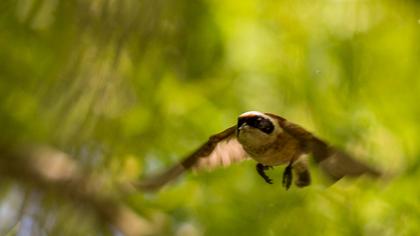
[{"x": 54, "y": 172}]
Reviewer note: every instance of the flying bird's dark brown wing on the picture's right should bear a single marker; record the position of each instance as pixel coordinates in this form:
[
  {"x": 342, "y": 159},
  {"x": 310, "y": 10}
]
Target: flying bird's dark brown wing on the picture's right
[{"x": 335, "y": 163}]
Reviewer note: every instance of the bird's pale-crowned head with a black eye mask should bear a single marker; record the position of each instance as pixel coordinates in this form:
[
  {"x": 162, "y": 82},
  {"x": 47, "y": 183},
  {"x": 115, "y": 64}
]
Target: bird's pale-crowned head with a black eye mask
[{"x": 257, "y": 128}]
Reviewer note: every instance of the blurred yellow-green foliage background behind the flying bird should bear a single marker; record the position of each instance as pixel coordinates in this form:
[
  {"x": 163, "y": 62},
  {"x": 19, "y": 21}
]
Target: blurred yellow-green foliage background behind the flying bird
[{"x": 126, "y": 88}]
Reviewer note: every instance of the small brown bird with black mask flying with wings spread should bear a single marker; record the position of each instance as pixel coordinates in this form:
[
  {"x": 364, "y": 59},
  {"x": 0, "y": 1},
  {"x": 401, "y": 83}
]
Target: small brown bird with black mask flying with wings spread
[{"x": 270, "y": 140}]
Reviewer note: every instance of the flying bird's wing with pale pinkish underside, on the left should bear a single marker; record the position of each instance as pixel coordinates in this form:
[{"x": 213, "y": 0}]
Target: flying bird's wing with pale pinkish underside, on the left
[{"x": 221, "y": 149}]
